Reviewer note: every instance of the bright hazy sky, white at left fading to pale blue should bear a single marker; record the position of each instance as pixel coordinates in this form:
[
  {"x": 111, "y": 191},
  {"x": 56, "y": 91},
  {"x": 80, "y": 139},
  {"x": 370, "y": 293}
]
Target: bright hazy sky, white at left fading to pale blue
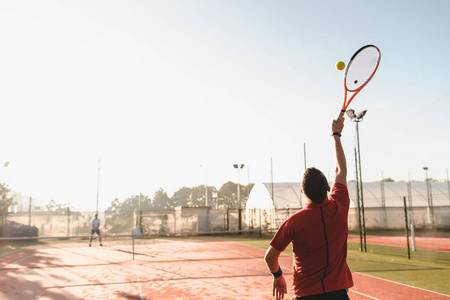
[{"x": 156, "y": 89}]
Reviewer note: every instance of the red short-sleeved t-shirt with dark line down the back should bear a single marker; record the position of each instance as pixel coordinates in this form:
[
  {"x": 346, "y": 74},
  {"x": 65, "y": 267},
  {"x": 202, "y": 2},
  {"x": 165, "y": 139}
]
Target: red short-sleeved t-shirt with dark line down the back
[{"x": 319, "y": 234}]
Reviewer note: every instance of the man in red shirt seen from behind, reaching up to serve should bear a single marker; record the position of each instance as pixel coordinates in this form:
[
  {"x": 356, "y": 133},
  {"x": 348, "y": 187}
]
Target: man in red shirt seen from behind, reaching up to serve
[{"x": 318, "y": 233}]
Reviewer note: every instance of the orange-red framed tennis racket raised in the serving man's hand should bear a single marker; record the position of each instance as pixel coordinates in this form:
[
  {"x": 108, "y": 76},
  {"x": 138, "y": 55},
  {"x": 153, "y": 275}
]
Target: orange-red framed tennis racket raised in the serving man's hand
[{"x": 360, "y": 70}]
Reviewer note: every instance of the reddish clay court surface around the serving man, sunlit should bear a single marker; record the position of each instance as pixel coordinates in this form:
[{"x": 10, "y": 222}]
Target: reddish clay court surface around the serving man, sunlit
[{"x": 162, "y": 269}]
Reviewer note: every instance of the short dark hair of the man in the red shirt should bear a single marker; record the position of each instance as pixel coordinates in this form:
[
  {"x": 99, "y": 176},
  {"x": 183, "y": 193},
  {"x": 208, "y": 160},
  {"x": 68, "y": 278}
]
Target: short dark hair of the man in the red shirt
[{"x": 315, "y": 185}]
